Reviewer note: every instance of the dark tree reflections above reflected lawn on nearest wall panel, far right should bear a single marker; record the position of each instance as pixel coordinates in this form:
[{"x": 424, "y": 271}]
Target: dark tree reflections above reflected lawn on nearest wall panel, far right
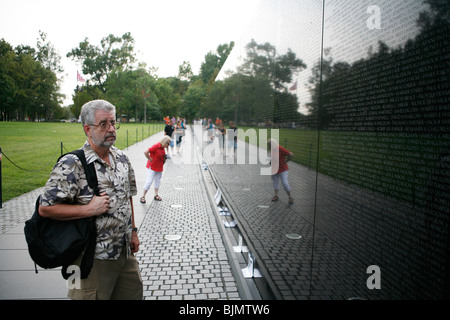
[{"x": 392, "y": 89}]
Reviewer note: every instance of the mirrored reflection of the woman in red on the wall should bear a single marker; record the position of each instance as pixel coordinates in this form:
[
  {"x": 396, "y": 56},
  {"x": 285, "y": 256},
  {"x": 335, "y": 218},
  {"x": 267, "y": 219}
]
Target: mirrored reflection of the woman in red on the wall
[{"x": 280, "y": 157}]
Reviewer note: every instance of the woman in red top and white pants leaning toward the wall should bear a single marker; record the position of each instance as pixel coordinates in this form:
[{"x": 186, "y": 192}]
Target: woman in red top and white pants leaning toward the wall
[{"x": 156, "y": 156}]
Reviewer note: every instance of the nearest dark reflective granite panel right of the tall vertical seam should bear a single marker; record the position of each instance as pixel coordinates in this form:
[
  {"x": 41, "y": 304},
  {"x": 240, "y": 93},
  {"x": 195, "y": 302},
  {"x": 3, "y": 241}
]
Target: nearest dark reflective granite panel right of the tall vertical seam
[{"x": 384, "y": 118}]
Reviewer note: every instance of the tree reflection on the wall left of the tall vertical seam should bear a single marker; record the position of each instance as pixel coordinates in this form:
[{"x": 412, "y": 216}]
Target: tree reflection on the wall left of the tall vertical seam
[{"x": 258, "y": 92}]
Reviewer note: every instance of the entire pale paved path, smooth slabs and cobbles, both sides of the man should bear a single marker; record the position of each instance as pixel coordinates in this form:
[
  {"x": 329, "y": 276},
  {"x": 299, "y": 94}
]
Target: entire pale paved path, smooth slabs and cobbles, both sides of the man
[{"x": 196, "y": 266}]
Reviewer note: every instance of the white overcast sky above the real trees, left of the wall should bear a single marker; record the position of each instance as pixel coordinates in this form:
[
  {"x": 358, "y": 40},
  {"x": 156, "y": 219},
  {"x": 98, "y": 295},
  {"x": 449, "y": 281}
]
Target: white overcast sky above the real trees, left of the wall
[{"x": 166, "y": 32}]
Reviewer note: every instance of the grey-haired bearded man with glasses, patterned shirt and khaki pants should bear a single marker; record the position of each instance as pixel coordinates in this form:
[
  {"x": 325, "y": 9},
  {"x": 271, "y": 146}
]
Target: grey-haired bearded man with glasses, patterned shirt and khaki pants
[{"x": 115, "y": 273}]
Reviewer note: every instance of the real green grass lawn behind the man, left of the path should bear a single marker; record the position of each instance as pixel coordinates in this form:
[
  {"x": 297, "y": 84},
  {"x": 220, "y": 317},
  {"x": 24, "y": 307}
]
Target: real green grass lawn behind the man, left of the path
[{"x": 35, "y": 147}]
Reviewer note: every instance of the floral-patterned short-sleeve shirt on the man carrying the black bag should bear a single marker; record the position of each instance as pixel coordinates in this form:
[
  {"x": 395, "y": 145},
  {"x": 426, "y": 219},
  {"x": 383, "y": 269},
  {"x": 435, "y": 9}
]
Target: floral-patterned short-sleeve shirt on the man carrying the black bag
[{"x": 67, "y": 184}]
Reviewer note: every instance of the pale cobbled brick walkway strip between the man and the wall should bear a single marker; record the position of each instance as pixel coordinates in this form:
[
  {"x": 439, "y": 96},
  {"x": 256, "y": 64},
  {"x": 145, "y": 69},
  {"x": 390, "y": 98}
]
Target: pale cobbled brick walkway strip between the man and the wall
[{"x": 195, "y": 266}]
